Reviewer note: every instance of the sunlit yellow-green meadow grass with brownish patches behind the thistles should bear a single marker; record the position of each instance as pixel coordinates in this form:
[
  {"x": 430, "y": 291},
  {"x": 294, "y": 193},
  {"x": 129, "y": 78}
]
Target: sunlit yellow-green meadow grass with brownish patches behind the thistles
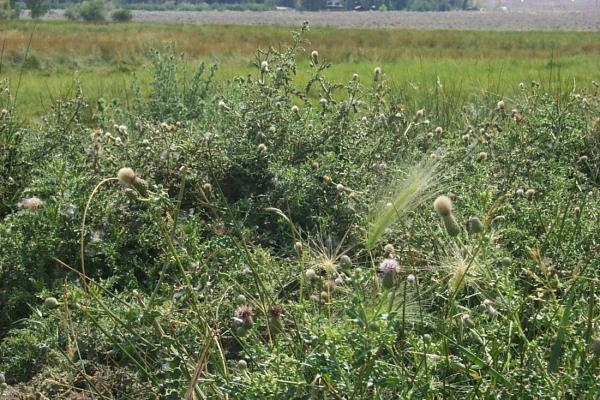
[{"x": 104, "y": 57}]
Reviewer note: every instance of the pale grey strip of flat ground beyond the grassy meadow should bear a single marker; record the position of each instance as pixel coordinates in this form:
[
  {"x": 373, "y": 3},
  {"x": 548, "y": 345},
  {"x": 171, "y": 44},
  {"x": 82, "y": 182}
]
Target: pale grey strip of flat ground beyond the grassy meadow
[{"x": 510, "y": 15}]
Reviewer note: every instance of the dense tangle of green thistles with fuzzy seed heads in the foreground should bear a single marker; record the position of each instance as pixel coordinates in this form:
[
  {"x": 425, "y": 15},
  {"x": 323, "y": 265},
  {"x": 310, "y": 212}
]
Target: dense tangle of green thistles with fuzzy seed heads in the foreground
[{"x": 251, "y": 240}]
